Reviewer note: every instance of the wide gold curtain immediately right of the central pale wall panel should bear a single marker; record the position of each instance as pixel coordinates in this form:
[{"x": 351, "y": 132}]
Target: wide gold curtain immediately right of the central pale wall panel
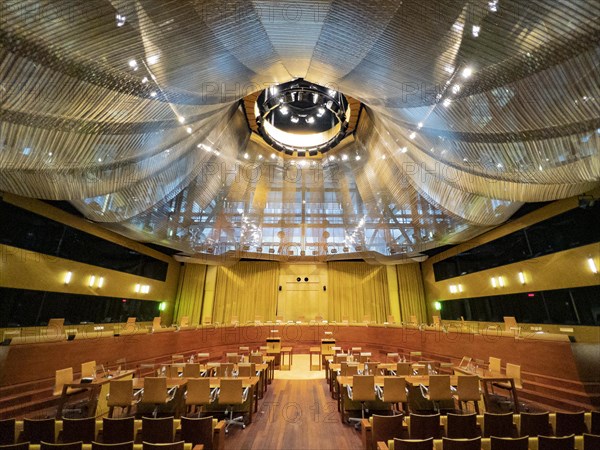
[{"x": 357, "y": 289}]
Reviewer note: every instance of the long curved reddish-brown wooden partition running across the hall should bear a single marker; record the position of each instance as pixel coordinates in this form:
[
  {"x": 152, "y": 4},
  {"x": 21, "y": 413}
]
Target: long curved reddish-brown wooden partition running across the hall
[{"x": 543, "y": 363}]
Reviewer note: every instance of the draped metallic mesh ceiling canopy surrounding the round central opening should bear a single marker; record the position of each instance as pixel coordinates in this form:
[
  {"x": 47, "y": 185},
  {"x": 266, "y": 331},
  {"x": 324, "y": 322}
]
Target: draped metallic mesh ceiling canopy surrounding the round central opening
[{"x": 131, "y": 111}]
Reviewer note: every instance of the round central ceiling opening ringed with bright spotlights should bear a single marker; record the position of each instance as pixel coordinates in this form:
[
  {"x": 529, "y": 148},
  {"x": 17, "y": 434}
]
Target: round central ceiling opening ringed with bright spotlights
[{"x": 299, "y": 117}]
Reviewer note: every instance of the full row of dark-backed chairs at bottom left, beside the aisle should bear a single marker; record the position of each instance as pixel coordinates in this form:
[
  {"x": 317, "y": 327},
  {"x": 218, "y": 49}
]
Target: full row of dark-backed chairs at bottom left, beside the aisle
[{"x": 204, "y": 430}]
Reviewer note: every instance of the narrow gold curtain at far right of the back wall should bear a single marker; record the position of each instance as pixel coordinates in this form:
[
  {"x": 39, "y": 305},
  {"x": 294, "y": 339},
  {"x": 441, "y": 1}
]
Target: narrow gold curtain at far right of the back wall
[{"x": 411, "y": 293}]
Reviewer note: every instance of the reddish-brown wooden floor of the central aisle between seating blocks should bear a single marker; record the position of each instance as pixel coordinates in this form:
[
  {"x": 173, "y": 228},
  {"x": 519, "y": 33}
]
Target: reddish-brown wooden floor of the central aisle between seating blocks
[{"x": 295, "y": 414}]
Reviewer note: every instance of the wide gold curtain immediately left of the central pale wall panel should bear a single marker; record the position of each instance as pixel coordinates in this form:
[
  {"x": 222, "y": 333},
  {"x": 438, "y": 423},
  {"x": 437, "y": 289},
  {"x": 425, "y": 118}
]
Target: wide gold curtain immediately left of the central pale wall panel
[{"x": 246, "y": 290}]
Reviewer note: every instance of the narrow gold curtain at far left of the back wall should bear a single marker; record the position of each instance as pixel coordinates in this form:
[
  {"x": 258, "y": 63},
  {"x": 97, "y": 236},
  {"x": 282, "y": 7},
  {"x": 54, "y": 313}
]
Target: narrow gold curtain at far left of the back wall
[{"x": 190, "y": 293}]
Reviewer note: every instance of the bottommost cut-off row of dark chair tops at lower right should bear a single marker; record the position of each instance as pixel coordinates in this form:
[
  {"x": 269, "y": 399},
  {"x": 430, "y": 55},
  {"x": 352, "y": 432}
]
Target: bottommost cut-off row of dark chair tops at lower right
[{"x": 585, "y": 442}]
